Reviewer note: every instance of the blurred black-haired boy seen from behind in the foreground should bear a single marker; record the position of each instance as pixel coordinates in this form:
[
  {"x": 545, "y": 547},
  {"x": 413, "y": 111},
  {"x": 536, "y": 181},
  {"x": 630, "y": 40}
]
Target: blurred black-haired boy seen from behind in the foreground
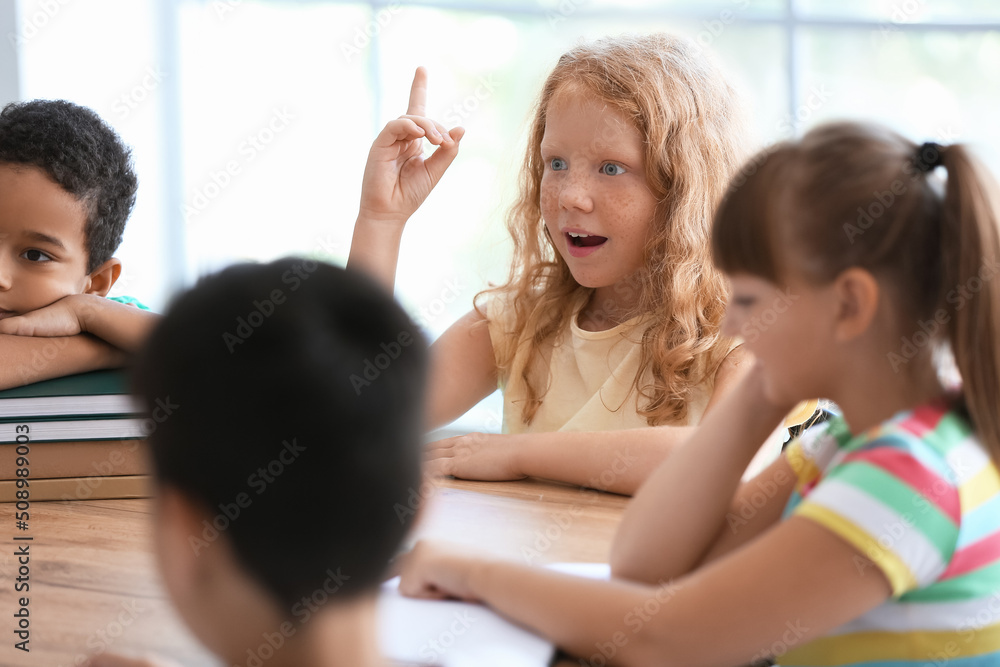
[{"x": 272, "y": 441}]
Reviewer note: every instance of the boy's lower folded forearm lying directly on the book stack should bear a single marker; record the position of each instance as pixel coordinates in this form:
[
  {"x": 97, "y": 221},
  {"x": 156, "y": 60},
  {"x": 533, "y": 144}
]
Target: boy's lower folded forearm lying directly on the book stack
[{"x": 24, "y": 359}]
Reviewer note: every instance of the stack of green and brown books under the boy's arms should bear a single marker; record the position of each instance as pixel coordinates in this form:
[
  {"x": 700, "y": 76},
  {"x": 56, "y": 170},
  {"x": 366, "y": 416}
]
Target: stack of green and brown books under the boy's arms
[{"x": 82, "y": 437}]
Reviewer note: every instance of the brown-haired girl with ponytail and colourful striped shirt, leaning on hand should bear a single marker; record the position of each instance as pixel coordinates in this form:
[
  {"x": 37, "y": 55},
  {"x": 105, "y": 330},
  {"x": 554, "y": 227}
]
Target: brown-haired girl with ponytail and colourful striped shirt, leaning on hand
[{"x": 858, "y": 260}]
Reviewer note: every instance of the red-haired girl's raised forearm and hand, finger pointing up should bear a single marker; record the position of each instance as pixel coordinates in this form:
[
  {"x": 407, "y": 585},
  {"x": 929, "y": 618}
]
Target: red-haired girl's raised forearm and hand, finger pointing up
[{"x": 396, "y": 182}]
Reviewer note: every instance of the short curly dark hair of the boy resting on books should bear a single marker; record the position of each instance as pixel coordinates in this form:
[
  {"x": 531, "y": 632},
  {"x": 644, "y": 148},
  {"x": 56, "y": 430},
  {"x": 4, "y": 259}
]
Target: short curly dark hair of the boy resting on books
[{"x": 81, "y": 153}]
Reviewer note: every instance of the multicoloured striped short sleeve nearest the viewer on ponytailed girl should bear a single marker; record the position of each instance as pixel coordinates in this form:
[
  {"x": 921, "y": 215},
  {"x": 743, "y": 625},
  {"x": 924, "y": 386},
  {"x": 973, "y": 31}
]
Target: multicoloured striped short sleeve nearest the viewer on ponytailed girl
[{"x": 895, "y": 502}]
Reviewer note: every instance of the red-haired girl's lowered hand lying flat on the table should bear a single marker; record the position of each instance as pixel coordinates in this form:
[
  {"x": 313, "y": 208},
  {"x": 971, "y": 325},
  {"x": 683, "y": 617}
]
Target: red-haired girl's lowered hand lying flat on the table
[{"x": 480, "y": 456}]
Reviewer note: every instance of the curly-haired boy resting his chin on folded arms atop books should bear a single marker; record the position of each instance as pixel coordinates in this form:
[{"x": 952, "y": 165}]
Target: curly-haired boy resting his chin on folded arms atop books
[{"x": 66, "y": 189}]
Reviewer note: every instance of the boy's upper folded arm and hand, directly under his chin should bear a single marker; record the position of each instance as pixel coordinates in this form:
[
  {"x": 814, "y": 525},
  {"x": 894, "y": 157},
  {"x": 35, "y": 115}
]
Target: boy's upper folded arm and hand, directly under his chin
[{"x": 123, "y": 326}]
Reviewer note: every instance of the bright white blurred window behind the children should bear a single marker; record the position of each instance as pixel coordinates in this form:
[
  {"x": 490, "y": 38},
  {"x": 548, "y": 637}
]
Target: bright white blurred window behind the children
[{"x": 251, "y": 120}]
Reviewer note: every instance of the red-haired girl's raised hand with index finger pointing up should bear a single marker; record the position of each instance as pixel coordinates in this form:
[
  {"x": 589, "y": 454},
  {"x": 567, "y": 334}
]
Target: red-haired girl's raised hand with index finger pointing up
[{"x": 397, "y": 177}]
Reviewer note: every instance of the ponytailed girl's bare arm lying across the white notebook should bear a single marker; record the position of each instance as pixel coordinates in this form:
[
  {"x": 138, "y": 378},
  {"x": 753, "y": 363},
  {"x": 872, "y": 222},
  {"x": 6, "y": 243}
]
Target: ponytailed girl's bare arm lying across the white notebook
[{"x": 713, "y": 616}]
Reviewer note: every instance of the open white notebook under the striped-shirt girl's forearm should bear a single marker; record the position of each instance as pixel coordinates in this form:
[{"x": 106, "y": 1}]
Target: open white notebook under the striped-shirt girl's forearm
[{"x": 461, "y": 634}]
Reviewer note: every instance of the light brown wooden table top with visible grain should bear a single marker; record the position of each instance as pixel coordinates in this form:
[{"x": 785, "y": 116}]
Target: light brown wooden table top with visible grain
[{"x": 94, "y": 584}]
